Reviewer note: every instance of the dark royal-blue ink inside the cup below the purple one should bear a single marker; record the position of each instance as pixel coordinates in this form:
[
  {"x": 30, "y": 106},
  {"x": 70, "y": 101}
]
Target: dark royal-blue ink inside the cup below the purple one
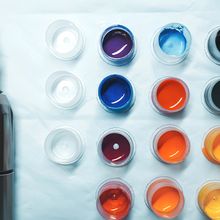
[{"x": 116, "y": 92}]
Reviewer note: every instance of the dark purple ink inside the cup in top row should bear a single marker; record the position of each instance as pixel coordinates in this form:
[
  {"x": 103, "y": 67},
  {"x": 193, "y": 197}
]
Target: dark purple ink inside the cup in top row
[{"x": 117, "y": 43}]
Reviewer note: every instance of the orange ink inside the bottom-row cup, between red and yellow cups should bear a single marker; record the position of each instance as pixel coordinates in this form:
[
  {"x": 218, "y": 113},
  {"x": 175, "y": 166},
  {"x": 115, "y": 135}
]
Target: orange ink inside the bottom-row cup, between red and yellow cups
[{"x": 165, "y": 200}]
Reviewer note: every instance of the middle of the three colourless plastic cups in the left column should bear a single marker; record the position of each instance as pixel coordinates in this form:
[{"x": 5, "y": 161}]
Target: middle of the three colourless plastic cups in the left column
[{"x": 65, "y": 90}]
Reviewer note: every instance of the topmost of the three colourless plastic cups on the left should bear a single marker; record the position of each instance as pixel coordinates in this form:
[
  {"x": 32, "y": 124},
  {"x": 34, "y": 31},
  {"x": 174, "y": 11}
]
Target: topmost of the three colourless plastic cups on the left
[{"x": 64, "y": 40}]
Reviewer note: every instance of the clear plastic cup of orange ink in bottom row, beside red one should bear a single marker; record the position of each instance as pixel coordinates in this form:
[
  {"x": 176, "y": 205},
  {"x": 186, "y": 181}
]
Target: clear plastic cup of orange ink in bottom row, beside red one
[{"x": 164, "y": 197}]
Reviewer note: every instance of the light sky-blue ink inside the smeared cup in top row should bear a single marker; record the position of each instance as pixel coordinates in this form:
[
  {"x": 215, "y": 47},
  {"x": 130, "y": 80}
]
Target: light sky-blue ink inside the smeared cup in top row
[{"x": 172, "y": 41}]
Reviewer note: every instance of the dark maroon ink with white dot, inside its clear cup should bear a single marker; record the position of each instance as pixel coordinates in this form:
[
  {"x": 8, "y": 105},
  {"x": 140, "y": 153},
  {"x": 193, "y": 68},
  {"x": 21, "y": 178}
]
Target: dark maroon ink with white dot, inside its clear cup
[{"x": 116, "y": 148}]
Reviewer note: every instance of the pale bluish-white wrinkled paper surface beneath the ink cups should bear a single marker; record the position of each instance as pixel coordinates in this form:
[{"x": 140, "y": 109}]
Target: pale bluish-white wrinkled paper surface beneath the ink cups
[{"x": 48, "y": 191}]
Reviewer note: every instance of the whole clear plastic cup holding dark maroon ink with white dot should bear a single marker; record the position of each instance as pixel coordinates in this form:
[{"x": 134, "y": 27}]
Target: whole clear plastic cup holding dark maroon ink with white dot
[{"x": 116, "y": 147}]
